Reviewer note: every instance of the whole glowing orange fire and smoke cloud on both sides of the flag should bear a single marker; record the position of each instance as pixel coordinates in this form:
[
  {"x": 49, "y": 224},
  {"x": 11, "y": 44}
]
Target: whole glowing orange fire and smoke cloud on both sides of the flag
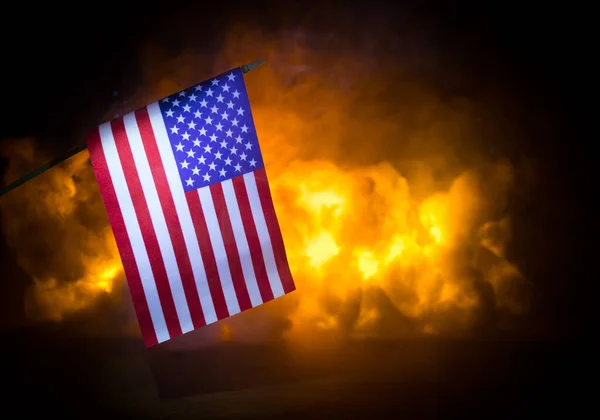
[{"x": 378, "y": 244}]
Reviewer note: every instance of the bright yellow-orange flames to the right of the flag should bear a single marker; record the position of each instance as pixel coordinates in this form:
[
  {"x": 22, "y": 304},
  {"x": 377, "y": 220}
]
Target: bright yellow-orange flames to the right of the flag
[{"x": 341, "y": 238}]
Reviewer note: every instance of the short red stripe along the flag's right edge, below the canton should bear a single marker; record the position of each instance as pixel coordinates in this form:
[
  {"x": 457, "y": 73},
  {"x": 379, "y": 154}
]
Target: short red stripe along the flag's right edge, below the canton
[{"x": 266, "y": 201}]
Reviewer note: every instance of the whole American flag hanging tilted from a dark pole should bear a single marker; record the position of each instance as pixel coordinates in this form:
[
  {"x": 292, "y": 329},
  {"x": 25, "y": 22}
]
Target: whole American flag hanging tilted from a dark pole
[{"x": 186, "y": 193}]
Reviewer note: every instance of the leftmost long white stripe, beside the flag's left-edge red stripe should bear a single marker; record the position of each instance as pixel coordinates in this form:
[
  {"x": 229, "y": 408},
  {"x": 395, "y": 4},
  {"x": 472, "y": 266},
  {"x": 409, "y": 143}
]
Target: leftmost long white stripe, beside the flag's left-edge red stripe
[{"x": 133, "y": 232}]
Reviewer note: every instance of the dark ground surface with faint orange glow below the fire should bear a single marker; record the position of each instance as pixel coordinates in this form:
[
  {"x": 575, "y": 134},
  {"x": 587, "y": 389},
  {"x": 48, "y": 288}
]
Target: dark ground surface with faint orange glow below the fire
[{"x": 118, "y": 378}]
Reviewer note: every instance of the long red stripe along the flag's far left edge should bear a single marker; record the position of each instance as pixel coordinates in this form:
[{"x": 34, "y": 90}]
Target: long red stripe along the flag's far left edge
[{"x": 122, "y": 238}]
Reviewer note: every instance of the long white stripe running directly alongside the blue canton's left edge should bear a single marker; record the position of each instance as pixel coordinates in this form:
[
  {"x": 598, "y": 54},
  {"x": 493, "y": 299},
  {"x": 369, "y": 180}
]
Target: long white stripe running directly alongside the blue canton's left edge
[{"x": 183, "y": 211}]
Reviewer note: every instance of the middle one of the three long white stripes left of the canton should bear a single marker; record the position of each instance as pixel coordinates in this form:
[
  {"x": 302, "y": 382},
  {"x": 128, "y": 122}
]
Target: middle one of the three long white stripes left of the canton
[{"x": 158, "y": 222}]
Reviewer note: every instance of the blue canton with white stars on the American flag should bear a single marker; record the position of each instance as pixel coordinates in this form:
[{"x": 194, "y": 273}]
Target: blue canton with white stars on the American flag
[{"x": 211, "y": 131}]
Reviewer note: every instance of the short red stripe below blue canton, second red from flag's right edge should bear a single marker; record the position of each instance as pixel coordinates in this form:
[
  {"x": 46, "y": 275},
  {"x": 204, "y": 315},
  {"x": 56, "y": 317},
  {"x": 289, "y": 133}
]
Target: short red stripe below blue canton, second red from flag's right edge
[{"x": 258, "y": 261}]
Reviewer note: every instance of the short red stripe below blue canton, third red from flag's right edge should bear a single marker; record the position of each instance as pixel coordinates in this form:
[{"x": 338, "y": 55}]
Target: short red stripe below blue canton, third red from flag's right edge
[{"x": 233, "y": 257}]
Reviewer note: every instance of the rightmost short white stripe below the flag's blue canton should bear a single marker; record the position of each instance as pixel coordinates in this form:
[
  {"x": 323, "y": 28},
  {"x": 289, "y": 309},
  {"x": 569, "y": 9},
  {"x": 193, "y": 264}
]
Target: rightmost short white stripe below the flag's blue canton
[{"x": 263, "y": 234}]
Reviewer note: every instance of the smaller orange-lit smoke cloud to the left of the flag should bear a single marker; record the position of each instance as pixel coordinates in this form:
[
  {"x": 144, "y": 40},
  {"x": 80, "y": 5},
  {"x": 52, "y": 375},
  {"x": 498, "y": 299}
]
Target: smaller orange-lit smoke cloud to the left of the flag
[{"x": 58, "y": 231}]
